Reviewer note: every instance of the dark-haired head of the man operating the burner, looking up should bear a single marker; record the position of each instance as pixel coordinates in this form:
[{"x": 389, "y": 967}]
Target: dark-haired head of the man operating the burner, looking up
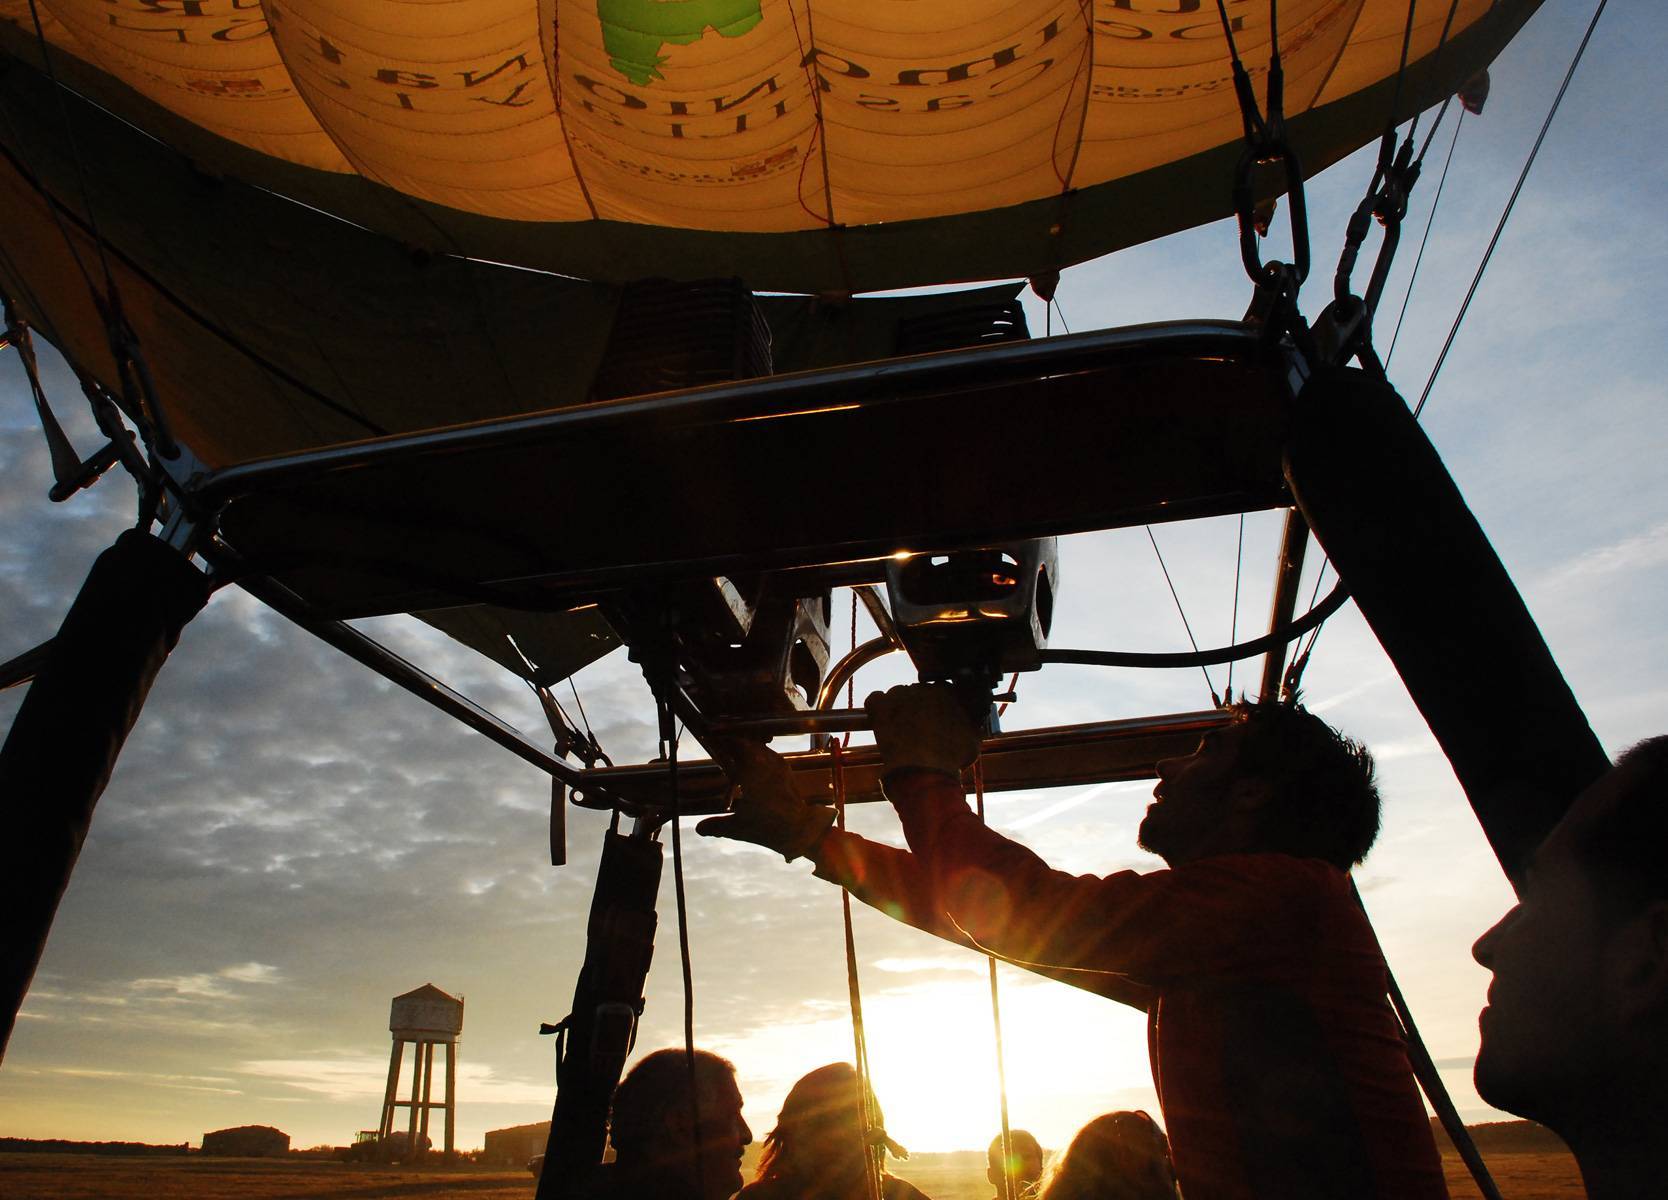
[{"x": 1279, "y": 780}]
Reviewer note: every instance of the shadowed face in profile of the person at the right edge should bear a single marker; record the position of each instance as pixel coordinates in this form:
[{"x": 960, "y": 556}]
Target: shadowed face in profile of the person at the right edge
[{"x": 1544, "y": 1026}]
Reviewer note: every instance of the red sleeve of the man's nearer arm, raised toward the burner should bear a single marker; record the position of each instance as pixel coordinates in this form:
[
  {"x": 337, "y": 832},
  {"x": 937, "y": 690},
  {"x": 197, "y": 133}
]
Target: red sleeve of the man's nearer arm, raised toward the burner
[{"x": 1150, "y": 927}]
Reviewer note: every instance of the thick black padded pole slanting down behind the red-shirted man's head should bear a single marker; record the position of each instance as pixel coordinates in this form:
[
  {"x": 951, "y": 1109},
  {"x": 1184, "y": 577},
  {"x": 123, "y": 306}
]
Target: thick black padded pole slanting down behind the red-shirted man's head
[{"x": 1387, "y": 512}]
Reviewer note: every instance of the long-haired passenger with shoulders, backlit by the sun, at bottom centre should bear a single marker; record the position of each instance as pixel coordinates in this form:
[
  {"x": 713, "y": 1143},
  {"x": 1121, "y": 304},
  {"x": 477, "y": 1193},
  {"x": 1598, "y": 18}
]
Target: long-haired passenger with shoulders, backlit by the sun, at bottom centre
[{"x": 818, "y": 1149}]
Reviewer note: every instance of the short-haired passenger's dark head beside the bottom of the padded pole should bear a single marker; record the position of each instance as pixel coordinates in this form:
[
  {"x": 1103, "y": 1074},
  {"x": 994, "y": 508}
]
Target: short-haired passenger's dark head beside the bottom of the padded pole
[{"x": 655, "y": 1132}]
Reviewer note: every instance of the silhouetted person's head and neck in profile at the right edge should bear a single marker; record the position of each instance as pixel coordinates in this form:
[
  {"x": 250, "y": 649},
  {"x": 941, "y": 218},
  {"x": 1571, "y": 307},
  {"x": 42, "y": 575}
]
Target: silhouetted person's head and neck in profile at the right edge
[{"x": 1575, "y": 1034}]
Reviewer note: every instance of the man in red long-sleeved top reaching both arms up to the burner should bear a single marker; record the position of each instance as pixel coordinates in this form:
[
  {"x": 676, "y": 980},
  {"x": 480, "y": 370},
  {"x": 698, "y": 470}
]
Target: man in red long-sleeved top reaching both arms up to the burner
[{"x": 1279, "y": 1061}]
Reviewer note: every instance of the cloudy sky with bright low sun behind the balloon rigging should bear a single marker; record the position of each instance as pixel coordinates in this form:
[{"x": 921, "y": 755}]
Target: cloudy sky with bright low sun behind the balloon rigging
[{"x": 289, "y": 842}]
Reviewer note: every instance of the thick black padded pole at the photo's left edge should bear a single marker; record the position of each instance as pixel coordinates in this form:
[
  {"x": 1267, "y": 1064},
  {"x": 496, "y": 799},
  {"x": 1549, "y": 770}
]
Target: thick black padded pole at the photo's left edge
[{"x": 69, "y": 734}]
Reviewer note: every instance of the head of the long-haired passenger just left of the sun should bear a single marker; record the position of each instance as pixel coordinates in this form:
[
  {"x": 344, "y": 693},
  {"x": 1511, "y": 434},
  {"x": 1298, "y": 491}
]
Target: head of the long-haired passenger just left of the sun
[{"x": 820, "y": 1134}]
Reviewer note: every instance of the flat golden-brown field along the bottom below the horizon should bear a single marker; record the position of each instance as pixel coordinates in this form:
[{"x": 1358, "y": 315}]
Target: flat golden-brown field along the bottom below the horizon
[{"x": 1522, "y": 1176}]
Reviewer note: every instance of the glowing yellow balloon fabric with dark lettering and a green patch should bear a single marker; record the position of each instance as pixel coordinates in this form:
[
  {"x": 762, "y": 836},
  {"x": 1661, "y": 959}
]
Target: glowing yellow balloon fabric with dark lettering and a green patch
[{"x": 760, "y": 116}]
